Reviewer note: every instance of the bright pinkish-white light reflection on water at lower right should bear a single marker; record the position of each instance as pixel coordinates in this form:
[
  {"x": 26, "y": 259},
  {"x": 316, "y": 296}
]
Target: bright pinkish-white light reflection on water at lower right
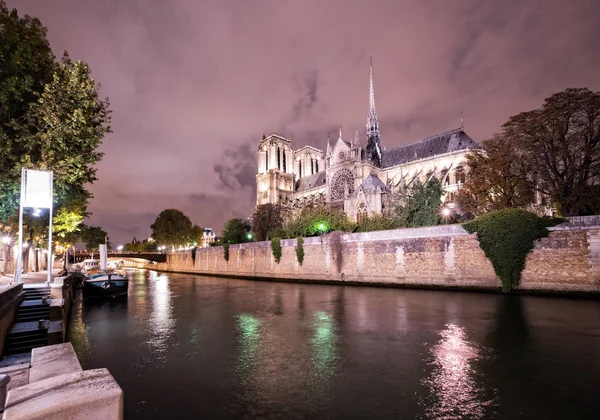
[{"x": 454, "y": 390}]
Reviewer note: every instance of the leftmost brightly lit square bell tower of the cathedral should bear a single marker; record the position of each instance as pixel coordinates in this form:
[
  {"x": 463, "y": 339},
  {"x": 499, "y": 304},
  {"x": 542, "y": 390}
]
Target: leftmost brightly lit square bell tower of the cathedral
[{"x": 275, "y": 177}]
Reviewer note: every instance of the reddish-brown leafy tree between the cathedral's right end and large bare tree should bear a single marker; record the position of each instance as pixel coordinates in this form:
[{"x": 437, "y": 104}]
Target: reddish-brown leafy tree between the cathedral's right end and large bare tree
[{"x": 496, "y": 179}]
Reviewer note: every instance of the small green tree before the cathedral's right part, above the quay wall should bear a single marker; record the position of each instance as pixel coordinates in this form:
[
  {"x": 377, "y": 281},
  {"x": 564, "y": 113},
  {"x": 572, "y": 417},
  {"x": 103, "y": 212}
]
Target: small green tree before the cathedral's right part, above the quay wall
[{"x": 423, "y": 206}]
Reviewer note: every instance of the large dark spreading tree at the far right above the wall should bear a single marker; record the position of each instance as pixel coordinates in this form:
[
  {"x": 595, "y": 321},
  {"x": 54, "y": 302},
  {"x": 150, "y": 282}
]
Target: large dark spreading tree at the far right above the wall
[{"x": 560, "y": 145}]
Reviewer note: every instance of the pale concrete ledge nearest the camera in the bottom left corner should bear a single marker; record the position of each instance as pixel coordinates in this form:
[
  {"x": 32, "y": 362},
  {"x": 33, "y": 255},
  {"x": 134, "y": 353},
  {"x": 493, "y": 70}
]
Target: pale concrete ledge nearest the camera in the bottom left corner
[{"x": 91, "y": 394}]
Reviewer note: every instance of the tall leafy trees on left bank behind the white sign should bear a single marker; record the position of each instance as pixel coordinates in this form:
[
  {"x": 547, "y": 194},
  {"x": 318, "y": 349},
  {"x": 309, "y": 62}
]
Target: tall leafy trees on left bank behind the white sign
[{"x": 51, "y": 117}]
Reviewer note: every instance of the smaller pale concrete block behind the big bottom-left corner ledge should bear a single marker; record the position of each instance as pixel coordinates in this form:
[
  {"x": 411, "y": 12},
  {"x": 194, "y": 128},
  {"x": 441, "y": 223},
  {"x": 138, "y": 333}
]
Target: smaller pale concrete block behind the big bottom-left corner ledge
[{"x": 50, "y": 361}]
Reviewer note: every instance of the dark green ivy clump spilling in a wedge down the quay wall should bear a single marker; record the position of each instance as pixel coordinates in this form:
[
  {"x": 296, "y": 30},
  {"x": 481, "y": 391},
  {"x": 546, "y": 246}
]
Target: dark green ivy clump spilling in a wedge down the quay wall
[{"x": 506, "y": 237}]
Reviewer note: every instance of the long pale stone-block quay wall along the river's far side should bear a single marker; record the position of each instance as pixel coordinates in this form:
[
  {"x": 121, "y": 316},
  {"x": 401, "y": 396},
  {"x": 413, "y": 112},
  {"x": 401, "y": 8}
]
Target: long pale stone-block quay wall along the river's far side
[{"x": 432, "y": 257}]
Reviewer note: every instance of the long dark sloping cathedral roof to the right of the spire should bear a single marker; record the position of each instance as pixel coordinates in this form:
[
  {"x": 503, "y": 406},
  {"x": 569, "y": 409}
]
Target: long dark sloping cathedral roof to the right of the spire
[{"x": 447, "y": 142}]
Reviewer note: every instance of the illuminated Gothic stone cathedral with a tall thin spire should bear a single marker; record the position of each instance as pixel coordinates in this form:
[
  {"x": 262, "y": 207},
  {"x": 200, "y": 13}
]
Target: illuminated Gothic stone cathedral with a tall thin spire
[{"x": 362, "y": 179}]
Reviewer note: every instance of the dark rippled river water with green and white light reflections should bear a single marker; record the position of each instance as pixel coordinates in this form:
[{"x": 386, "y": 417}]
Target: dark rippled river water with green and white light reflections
[{"x": 184, "y": 346}]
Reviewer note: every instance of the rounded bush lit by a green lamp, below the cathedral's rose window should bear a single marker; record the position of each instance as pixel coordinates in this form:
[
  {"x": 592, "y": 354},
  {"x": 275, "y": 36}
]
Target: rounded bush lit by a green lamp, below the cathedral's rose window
[{"x": 308, "y": 222}]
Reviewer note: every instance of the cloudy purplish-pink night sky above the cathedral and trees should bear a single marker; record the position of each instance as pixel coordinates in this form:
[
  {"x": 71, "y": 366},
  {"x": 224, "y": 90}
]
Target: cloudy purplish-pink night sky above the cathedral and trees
[{"x": 194, "y": 84}]
